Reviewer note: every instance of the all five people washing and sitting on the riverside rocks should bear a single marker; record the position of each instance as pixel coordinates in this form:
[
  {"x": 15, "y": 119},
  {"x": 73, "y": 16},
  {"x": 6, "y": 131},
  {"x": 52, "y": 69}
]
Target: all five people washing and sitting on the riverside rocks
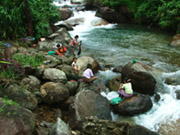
[{"x": 125, "y": 89}]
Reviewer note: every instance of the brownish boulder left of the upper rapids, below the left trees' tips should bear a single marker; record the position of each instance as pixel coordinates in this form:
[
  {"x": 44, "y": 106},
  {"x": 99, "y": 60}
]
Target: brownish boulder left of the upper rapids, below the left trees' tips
[{"x": 65, "y": 13}]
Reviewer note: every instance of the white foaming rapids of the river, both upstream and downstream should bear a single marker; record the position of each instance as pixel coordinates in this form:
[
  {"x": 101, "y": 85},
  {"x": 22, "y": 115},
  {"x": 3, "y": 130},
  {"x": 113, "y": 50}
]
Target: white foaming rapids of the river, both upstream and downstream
[{"x": 167, "y": 109}]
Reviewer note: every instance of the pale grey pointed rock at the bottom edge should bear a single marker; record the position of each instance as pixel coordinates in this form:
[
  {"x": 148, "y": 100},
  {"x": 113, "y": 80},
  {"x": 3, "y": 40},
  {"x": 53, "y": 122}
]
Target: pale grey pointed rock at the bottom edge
[{"x": 60, "y": 128}]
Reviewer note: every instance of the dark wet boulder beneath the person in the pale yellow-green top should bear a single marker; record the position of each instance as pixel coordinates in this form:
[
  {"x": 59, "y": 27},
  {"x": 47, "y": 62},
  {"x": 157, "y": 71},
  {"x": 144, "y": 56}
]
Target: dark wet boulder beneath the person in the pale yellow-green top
[{"x": 137, "y": 104}]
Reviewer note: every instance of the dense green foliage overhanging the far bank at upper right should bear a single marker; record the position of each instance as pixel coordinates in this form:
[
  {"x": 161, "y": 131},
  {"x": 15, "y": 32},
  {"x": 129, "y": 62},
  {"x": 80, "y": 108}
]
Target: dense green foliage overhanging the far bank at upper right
[{"x": 162, "y": 13}]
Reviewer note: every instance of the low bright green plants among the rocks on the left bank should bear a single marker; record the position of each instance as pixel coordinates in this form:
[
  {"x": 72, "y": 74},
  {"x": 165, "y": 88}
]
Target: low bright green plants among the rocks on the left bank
[{"x": 34, "y": 60}]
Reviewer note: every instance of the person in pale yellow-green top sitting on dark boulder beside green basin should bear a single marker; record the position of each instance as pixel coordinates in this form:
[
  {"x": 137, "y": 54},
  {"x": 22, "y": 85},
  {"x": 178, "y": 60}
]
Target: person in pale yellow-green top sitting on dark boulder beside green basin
[{"x": 125, "y": 89}]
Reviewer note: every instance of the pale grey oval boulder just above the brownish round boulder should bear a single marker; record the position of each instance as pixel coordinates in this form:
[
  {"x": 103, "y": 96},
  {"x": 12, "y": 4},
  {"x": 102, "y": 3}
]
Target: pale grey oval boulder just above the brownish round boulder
[{"x": 54, "y": 74}]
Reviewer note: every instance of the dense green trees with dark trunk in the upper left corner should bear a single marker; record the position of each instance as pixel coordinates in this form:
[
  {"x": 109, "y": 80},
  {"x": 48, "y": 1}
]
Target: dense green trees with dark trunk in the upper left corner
[{"x": 18, "y": 17}]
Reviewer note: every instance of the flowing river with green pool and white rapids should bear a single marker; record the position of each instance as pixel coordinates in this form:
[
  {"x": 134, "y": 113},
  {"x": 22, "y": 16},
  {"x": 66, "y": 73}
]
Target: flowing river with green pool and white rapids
[{"x": 117, "y": 45}]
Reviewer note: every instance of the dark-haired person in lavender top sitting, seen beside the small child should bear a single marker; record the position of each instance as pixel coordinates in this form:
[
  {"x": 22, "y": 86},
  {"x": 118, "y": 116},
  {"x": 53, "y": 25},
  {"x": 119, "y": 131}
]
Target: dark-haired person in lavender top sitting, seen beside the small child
[{"x": 88, "y": 75}]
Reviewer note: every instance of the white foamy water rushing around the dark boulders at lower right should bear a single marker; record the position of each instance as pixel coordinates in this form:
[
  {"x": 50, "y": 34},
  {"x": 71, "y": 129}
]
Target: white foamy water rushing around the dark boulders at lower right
[{"x": 164, "y": 111}]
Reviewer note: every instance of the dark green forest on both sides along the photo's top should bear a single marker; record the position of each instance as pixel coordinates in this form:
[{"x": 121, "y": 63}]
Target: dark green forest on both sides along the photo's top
[{"x": 21, "y": 18}]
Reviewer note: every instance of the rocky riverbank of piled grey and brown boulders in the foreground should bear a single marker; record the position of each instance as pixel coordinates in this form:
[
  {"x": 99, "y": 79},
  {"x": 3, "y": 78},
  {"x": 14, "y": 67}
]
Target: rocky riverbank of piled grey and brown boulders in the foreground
[{"x": 52, "y": 92}]
